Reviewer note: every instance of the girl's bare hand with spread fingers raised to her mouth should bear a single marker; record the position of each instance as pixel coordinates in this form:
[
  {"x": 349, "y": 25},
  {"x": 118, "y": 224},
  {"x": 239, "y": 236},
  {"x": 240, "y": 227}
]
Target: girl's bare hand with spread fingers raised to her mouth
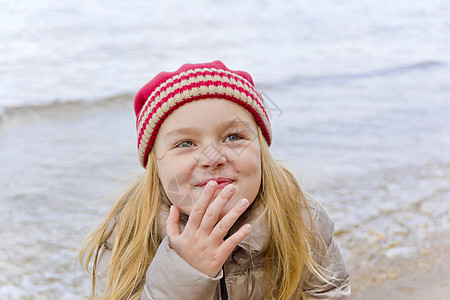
[{"x": 201, "y": 243}]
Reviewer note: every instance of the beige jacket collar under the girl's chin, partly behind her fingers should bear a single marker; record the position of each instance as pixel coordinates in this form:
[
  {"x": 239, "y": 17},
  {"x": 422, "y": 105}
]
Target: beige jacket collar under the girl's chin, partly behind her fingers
[{"x": 256, "y": 241}]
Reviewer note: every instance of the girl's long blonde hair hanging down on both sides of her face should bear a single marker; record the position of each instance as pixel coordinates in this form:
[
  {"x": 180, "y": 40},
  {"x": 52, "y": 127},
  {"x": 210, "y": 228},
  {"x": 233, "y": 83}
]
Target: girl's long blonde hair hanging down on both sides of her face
[{"x": 134, "y": 218}]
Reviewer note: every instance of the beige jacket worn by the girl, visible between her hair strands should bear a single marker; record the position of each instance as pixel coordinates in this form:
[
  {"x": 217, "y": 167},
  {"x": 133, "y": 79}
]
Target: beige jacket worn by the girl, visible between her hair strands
[{"x": 170, "y": 277}]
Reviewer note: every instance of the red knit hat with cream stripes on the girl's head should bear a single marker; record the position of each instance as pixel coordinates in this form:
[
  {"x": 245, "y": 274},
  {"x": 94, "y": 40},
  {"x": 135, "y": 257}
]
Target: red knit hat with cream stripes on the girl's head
[{"x": 169, "y": 90}]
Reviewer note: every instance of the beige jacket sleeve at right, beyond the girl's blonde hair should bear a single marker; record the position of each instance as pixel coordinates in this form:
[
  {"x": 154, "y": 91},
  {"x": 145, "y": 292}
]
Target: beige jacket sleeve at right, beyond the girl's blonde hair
[{"x": 337, "y": 285}]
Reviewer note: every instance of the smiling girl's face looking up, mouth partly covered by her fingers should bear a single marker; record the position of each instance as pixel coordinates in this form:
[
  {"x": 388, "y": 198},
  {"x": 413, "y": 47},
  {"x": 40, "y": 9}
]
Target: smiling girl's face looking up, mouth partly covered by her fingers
[{"x": 209, "y": 139}]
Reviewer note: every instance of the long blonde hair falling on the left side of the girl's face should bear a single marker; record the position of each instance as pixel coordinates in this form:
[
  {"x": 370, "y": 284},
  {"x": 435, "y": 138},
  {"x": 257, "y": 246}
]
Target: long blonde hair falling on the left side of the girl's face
[{"x": 134, "y": 218}]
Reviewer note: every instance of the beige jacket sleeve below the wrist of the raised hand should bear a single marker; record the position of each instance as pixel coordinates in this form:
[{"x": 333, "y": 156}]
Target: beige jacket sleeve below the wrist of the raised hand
[{"x": 170, "y": 277}]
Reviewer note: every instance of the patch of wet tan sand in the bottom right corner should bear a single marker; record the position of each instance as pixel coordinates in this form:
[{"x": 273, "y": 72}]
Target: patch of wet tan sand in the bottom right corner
[{"x": 425, "y": 276}]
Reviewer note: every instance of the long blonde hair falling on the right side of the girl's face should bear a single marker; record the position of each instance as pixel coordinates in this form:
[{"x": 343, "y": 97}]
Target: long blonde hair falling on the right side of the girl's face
[{"x": 289, "y": 257}]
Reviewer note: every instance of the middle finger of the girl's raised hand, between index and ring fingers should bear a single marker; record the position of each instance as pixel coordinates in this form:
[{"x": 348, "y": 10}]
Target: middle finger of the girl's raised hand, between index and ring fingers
[{"x": 214, "y": 209}]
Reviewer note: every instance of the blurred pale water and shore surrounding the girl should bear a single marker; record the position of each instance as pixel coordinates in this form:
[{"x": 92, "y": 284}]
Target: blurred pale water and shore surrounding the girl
[{"x": 359, "y": 100}]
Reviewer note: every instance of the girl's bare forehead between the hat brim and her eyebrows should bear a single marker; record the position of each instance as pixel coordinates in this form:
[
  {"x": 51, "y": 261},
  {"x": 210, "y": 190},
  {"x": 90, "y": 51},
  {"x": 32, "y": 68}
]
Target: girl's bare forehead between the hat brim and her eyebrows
[{"x": 209, "y": 112}]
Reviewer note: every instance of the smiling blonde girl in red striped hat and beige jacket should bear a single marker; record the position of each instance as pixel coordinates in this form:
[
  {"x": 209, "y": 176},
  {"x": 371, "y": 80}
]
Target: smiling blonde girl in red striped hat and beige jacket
[{"x": 214, "y": 216}]
